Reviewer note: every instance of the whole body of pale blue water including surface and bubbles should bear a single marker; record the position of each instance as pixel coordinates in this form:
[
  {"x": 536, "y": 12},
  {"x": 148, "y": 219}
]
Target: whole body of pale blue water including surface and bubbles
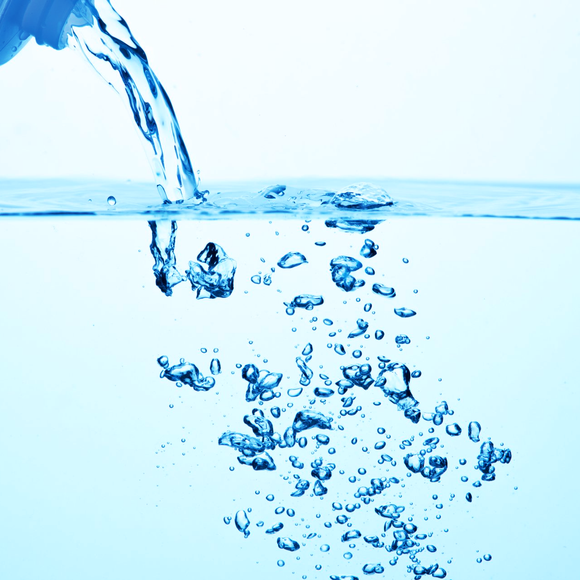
[{"x": 113, "y": 471}]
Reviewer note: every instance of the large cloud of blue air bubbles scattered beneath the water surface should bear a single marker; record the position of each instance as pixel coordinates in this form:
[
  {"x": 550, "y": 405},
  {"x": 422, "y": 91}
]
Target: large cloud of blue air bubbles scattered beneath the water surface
[{"x": 307, "y": 433}]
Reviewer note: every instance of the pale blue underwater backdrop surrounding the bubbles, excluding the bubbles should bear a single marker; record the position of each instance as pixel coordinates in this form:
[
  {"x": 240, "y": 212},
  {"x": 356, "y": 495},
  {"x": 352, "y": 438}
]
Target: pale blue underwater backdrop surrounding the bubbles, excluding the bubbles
[{"x": 84, "y": 412}]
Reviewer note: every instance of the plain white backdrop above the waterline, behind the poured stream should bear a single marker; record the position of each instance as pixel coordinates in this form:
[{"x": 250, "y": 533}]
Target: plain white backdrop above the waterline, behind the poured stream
[{"x": 446, "y": 89}]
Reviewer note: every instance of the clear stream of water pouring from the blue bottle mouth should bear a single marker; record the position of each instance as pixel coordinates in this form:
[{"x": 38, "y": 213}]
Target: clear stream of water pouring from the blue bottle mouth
[{"x": 105, "y": 40}]
